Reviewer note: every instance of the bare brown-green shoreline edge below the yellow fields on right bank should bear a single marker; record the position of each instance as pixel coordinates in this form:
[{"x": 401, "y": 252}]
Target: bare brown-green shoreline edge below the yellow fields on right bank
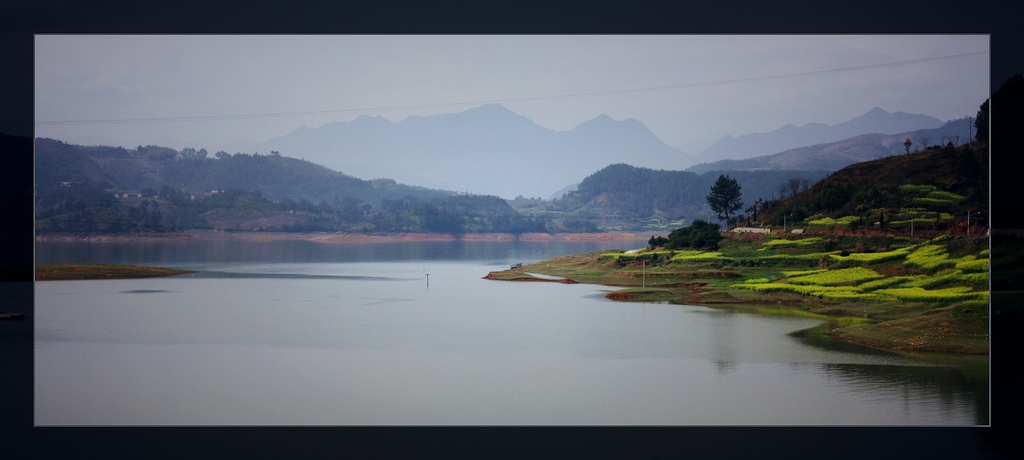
[{"x": 893, "y": 326}]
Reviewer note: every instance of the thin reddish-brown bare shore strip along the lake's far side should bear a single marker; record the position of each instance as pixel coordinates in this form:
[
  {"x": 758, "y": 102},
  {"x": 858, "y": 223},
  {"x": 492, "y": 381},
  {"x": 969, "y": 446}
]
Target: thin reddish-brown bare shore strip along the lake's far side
[{"x": 324, "y": 237}]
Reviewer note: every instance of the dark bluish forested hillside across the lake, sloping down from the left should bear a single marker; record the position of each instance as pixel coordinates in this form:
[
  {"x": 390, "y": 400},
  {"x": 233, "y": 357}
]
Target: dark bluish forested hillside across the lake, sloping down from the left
[{"x": 153, "y": 189}]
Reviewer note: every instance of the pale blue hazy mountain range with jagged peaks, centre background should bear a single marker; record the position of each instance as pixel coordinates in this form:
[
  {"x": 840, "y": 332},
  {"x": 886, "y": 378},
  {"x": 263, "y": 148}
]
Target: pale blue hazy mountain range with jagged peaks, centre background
[{"x": 488, "y": 150}]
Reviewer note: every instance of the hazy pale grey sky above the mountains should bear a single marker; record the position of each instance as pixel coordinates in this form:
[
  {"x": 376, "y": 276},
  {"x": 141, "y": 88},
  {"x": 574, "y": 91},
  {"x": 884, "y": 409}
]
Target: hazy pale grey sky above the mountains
[{"x": 685, "y": 89}]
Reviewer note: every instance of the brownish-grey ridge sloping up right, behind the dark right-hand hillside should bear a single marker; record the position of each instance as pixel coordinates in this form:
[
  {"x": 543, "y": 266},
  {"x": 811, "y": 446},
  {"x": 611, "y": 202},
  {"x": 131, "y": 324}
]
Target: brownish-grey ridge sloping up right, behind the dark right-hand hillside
[{"x": 835, "y": 156}]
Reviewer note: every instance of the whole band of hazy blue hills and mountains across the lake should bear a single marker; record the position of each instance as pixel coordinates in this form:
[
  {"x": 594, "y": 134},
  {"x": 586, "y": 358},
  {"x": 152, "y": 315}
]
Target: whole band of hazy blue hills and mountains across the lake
[{"x": 449, "y": 174}]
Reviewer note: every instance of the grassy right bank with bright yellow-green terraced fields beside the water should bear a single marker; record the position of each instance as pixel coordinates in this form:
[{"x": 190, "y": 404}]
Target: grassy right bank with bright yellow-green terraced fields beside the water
[{"x": 892, "y": 294}]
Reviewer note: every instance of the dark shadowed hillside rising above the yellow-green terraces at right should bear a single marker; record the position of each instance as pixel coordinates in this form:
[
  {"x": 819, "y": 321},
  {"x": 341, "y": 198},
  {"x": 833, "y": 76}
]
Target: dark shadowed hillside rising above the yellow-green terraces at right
[{"x": 928, "y": 192}]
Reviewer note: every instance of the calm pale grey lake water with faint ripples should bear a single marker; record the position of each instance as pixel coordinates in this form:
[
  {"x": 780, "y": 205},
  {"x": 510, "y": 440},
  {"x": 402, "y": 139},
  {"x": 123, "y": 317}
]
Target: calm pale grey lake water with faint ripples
[{"x": 301, "y": 333}]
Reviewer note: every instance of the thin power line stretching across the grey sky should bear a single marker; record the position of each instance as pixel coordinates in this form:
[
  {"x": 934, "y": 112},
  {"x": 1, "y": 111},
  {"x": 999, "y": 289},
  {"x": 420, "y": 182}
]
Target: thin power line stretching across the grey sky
[{"x": 507, "y": 101}]
